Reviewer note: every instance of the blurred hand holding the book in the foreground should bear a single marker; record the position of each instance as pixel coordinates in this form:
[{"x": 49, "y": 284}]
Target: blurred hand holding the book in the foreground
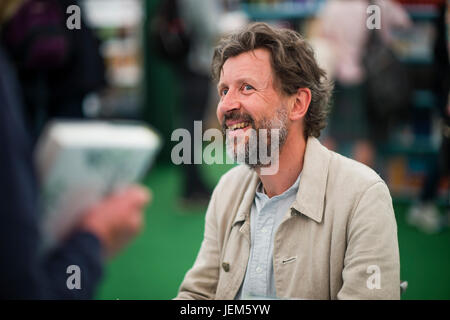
[{"x": 117, "y": 219}]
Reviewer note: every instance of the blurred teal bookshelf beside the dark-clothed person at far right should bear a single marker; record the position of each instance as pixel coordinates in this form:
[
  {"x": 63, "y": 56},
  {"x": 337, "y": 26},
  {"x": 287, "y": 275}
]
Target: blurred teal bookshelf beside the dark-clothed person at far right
[{"x": 412, "y": 150}]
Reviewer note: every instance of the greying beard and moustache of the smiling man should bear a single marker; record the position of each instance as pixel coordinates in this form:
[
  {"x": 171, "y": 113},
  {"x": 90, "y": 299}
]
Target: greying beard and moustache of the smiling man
[{"x": 255, "y": 146}]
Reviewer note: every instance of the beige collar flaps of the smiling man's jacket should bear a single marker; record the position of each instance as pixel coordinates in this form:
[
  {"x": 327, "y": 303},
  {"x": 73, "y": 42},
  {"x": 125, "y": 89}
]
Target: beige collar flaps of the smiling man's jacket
[{"x": 311, "y": 191}]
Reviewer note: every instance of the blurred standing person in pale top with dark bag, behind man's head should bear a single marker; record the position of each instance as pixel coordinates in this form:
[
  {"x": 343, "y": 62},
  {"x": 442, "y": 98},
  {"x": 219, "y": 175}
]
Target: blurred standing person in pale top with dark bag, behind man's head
[{"x": 195, "y": 26}]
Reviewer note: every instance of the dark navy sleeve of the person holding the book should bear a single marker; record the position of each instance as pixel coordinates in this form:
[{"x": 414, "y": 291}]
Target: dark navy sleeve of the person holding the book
[{"x": 24, "y": 273}]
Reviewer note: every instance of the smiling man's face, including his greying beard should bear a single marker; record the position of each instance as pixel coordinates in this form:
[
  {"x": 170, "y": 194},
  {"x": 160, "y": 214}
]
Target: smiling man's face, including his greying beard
[{"x": 253, "y": 136}]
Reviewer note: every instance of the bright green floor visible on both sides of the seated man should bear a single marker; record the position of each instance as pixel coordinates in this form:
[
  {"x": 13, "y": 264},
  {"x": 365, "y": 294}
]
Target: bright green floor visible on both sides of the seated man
[{"x": 154, "y": 265}]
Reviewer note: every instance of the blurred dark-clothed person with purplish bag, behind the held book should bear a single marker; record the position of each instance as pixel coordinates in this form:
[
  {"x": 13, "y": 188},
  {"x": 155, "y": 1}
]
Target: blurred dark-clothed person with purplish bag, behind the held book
[{"x": 57, "y": 67}]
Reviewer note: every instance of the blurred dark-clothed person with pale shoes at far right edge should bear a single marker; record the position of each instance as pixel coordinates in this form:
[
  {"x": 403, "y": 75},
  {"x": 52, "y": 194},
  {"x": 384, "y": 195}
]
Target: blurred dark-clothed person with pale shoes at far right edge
[{"x": 424, "y": 213}]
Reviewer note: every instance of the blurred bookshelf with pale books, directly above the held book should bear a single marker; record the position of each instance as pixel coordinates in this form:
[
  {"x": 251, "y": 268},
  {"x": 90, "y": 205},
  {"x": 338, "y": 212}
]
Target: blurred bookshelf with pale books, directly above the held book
[{"x": 118, "y": 25}]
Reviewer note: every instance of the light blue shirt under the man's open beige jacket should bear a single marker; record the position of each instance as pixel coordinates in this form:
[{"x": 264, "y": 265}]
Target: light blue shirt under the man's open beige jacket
[{"x": 265, "y": 217}]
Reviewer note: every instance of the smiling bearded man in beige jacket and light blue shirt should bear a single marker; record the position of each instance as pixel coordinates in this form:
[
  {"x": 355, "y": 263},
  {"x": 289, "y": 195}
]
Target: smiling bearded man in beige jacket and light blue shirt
[{"x": 321, "y": 226}]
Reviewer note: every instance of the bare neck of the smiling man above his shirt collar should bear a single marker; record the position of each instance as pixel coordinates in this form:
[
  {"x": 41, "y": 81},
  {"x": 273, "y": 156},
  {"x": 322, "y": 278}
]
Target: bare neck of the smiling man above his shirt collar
[{"x": 290, "y": 166}]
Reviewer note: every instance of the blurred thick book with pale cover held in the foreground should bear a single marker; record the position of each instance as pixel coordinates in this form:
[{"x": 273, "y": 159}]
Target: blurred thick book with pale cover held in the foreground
[{"x": 79, "y": 163}]
